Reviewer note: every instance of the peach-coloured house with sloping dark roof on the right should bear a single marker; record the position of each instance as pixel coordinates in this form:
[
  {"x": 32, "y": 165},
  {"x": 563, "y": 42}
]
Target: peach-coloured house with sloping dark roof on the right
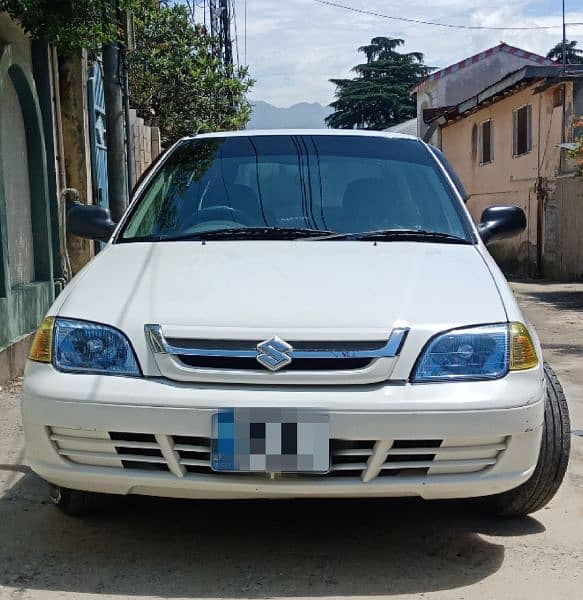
[{"x": 506, "y": 139}]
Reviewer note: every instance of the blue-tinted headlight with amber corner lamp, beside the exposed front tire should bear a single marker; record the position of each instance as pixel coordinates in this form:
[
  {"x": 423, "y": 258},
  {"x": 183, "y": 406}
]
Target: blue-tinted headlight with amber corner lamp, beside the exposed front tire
[{"x": 476, "y": 353}]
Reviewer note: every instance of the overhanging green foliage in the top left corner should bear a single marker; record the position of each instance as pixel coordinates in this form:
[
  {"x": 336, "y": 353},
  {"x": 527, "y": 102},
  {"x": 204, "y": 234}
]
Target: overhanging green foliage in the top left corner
[{"x": 69, "y": 25}]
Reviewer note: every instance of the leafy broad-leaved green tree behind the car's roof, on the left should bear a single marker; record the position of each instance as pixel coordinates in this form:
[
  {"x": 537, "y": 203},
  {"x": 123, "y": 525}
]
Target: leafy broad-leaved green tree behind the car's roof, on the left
[{"x": 177, "y": 82}]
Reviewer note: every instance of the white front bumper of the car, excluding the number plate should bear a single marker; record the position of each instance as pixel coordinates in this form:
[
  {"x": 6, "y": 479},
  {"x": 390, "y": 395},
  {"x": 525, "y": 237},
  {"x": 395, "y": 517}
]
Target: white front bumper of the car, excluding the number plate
[{"x": 149, "y": 436}]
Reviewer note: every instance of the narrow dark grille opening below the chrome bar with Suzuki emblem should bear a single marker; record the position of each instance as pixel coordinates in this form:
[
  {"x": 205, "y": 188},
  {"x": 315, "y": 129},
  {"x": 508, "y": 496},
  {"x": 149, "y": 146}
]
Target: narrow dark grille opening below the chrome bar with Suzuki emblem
[{"x": 251, "y": 364}]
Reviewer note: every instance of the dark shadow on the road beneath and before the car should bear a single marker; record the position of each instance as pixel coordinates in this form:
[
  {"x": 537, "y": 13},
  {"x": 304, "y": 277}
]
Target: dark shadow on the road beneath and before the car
[{"x": 155, "y": 547}]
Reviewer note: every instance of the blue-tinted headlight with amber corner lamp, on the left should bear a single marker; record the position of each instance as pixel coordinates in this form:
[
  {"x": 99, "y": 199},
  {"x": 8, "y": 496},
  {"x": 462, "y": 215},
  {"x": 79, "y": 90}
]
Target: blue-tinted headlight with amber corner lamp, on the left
[{"x": 84, "y": 347}]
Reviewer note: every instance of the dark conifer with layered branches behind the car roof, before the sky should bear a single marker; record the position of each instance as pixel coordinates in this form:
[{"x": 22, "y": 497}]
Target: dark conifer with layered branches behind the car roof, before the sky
[{"x": 378, "y": 97}]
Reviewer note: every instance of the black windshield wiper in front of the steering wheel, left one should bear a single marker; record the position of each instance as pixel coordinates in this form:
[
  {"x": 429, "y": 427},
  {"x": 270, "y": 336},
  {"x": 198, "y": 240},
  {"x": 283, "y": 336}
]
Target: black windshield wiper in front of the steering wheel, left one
[{"x": 264, "y": 233}]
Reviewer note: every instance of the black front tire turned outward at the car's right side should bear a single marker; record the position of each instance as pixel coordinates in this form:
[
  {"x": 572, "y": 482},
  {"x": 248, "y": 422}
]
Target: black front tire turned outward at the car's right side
[{"x": 550, "y": 469}]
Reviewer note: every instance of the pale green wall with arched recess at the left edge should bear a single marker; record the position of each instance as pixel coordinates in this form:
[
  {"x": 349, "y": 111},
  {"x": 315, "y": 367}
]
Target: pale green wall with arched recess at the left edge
[{"x": 26, "y": 246}]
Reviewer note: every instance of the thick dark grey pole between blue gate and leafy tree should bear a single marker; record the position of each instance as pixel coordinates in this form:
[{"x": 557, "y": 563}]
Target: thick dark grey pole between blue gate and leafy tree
[{"x": 117, "y": 184}]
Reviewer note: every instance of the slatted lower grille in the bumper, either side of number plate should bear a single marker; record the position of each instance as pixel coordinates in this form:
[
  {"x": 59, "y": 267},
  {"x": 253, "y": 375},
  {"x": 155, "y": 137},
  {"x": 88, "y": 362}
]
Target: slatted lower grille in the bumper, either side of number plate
[{"x": 185, "y": 456}]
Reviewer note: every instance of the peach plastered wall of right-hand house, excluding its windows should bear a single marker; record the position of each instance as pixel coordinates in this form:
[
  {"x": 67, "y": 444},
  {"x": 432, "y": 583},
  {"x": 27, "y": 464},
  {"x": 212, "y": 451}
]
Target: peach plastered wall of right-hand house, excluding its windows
[{"x": 508, "y": 179}]
